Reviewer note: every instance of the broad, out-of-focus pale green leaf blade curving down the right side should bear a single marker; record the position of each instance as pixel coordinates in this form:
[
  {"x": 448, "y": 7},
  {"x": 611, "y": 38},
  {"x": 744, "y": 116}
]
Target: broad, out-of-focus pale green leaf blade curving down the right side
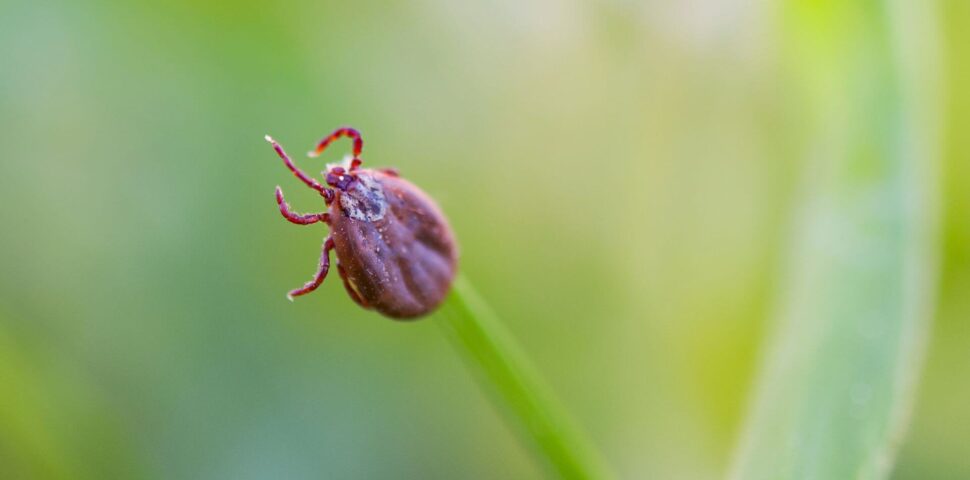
[{"x": 837, "y": 381}]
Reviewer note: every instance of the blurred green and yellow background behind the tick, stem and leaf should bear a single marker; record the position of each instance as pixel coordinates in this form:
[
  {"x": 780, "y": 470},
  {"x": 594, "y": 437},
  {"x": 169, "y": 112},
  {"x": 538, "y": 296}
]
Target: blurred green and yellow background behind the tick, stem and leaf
[{"x": 621, "y": 177}]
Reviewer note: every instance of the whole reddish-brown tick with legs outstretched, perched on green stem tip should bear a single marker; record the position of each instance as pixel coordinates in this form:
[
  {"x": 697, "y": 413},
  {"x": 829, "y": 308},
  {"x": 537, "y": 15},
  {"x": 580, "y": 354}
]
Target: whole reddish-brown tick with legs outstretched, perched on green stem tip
[{"x": 395, "y": 251}]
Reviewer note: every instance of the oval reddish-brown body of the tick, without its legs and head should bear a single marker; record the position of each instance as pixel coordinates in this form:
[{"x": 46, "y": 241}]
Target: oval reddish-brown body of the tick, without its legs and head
[{"x": 394, "y": 245}]
